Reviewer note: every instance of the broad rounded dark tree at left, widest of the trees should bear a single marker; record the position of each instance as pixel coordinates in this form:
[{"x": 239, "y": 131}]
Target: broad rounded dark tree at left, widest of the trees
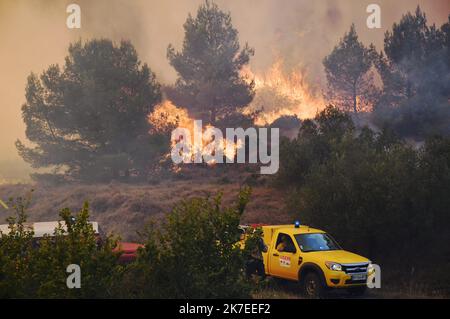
[{"x": 90, "y": 118}]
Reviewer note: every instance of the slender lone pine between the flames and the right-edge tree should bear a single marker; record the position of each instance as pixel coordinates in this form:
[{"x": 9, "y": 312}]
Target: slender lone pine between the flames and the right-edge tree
[{"x": 348, "y": 71}]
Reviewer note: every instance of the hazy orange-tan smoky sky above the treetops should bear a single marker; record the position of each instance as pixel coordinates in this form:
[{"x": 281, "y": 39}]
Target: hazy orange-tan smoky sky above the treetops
[{"x": 33, "y": 35}]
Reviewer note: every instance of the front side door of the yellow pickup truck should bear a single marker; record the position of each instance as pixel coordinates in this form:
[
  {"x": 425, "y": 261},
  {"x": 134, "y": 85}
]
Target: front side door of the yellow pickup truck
[{"x": 284, "y": 258}]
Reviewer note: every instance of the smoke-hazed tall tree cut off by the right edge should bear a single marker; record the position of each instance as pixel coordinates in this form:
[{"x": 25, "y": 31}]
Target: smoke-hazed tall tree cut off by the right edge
[{"x": 415, "y": 71}]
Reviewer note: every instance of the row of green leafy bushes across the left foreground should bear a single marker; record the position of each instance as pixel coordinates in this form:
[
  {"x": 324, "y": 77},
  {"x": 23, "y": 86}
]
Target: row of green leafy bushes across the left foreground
[{"x": 193, "y": 254}]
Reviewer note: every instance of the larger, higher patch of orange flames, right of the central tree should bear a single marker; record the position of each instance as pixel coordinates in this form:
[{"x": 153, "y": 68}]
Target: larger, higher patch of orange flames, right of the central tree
[{"x": 279, "y": 94}]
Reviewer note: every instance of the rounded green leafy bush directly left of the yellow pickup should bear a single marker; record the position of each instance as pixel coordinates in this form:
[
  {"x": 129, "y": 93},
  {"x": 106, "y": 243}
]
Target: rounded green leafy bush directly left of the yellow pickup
[{"x": 194, "y": 254}]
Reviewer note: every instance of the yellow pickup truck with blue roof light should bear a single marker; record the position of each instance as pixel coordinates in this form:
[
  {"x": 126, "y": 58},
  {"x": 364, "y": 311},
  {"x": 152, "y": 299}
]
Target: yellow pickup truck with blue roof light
[{"x": 312, "y": 258}]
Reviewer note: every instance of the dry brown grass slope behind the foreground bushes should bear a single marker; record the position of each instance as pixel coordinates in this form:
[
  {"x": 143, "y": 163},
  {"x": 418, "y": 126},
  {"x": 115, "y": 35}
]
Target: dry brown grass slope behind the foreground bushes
[{"x": 124, "y": 209}]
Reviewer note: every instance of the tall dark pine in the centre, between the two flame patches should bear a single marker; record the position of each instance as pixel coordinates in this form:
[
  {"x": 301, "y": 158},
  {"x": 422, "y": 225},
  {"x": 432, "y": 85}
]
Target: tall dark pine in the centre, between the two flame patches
[{"x": 209, "y": 65}]
